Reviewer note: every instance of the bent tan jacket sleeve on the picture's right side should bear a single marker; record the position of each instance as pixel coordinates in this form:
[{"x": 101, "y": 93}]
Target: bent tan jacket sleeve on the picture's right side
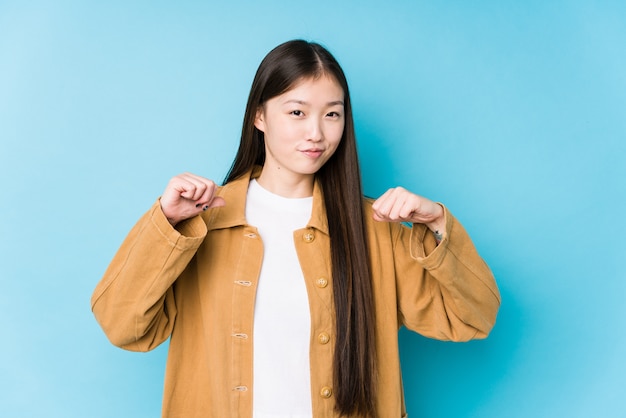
[{"x": 444, "y": 291}]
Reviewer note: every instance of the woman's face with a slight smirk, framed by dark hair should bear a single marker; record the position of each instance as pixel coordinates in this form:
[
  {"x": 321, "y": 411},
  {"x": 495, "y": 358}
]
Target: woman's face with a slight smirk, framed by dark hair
[{"x": 302, "y": 129}]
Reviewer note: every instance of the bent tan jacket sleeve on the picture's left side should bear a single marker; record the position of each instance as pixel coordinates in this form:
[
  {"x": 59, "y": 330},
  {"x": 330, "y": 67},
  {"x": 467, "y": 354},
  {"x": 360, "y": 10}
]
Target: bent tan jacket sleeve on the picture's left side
[{"x": 134, "y": 301}]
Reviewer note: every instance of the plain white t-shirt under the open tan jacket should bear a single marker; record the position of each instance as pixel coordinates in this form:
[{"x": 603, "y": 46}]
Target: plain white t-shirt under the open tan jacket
[{"x": 282, "y": 320}]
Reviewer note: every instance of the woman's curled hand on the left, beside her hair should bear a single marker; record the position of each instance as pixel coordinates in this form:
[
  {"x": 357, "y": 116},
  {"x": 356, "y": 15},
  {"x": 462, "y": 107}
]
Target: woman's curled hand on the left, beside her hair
[{"x": 187, "y": 195}]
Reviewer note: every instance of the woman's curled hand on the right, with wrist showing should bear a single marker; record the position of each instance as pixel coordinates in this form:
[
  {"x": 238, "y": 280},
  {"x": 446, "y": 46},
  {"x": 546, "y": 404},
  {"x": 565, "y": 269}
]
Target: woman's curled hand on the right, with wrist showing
[{"x": 400, "y": 205}]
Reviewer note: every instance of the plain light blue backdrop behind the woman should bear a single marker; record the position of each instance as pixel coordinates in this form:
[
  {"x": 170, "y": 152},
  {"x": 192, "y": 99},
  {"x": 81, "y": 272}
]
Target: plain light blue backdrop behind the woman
[{"x": 512, "y": 113}]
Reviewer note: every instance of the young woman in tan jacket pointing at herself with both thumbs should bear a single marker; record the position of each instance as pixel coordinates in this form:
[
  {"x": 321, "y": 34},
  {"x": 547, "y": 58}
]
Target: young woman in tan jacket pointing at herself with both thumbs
[{"x": 282, "y": 291}]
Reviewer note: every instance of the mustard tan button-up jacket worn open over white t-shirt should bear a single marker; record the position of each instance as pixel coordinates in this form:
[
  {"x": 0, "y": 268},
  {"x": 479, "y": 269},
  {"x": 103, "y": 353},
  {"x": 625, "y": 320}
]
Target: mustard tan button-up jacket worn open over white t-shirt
[{"x": 196, "y": 284}]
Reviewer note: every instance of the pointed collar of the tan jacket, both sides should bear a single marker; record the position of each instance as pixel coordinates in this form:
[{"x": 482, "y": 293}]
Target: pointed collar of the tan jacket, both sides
[{"x": 234, "y": 213}]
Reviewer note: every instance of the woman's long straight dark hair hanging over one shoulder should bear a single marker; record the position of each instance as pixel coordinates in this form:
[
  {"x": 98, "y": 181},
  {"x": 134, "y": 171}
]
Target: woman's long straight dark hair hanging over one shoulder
[{"x": 354, "y": 361}]
